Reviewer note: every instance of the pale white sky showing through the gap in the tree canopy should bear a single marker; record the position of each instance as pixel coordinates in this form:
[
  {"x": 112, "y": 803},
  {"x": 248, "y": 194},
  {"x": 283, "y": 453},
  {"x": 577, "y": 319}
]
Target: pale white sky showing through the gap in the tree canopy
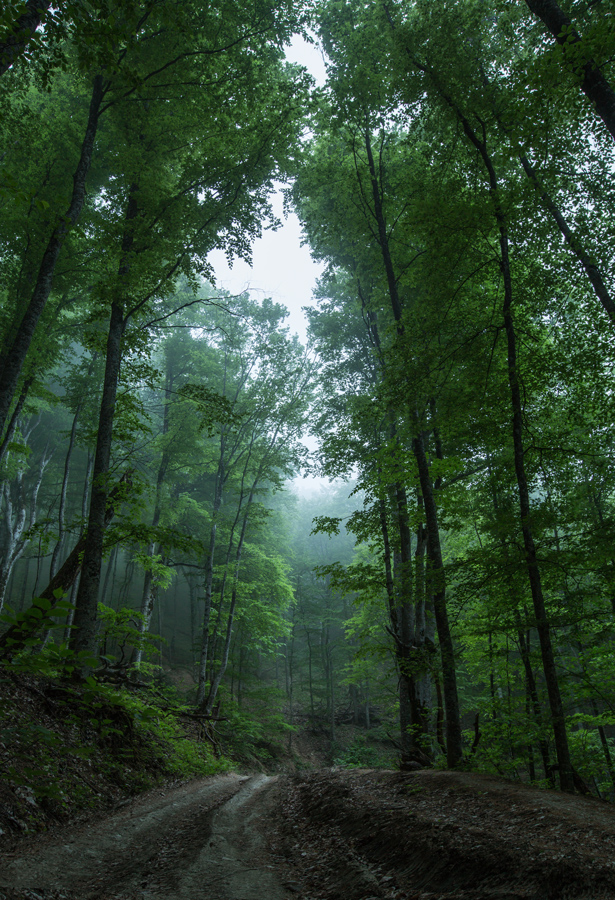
[{"x": 281, "y": 268}]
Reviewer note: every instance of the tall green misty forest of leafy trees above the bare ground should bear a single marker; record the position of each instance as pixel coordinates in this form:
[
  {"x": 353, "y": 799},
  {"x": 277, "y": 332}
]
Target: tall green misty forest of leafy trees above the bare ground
[{"x": 457, "y": 184}]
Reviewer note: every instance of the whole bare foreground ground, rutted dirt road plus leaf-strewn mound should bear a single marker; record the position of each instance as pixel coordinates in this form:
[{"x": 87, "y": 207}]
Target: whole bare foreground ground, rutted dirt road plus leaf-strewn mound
[{"x": 324, "y": 835}]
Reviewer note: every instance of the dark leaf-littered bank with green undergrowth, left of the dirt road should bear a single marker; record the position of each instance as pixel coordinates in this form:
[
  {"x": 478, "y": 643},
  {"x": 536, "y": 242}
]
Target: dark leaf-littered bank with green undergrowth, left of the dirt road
[{"x": 68, "y": 746}]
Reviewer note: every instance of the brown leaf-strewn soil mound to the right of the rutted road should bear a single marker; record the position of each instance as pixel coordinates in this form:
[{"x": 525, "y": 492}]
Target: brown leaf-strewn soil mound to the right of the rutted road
[{"x": 371, "y": 834}]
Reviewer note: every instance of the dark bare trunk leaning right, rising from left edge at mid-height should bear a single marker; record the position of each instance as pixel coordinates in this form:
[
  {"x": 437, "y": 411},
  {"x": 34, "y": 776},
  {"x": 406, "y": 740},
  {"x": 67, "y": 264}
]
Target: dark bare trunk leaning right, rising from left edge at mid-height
[{"x": 15, "y": 350}]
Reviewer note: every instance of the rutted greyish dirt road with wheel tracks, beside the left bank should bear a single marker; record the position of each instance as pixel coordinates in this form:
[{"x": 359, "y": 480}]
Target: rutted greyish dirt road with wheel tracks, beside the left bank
[{"x": 204, "y": 840}]
